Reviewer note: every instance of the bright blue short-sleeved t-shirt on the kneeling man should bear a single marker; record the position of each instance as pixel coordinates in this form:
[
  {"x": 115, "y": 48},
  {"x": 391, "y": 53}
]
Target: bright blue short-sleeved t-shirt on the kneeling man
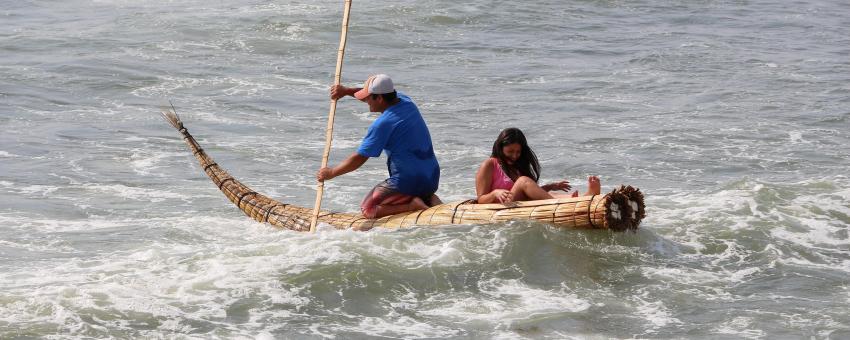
[{"x": 401, "y": 131}]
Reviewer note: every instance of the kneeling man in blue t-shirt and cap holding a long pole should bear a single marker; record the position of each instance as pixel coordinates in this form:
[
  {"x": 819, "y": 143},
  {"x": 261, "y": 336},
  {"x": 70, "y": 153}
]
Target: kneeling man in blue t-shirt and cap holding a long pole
[{"x": 402, "y": 133}]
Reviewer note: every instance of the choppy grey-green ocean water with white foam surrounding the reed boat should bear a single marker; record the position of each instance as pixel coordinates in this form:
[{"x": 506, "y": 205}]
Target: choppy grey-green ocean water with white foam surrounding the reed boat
[{"x": 731, "y": 116}]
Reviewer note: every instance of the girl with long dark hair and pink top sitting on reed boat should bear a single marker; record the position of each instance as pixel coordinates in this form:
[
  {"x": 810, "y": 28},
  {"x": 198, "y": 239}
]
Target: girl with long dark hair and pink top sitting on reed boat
[{"x": 512, "y": 171}]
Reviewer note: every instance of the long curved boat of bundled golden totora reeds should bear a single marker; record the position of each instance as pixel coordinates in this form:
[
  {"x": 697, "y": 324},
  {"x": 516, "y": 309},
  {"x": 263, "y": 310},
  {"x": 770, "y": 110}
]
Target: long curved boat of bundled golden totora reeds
[{"x": 621, "y": 209}]
